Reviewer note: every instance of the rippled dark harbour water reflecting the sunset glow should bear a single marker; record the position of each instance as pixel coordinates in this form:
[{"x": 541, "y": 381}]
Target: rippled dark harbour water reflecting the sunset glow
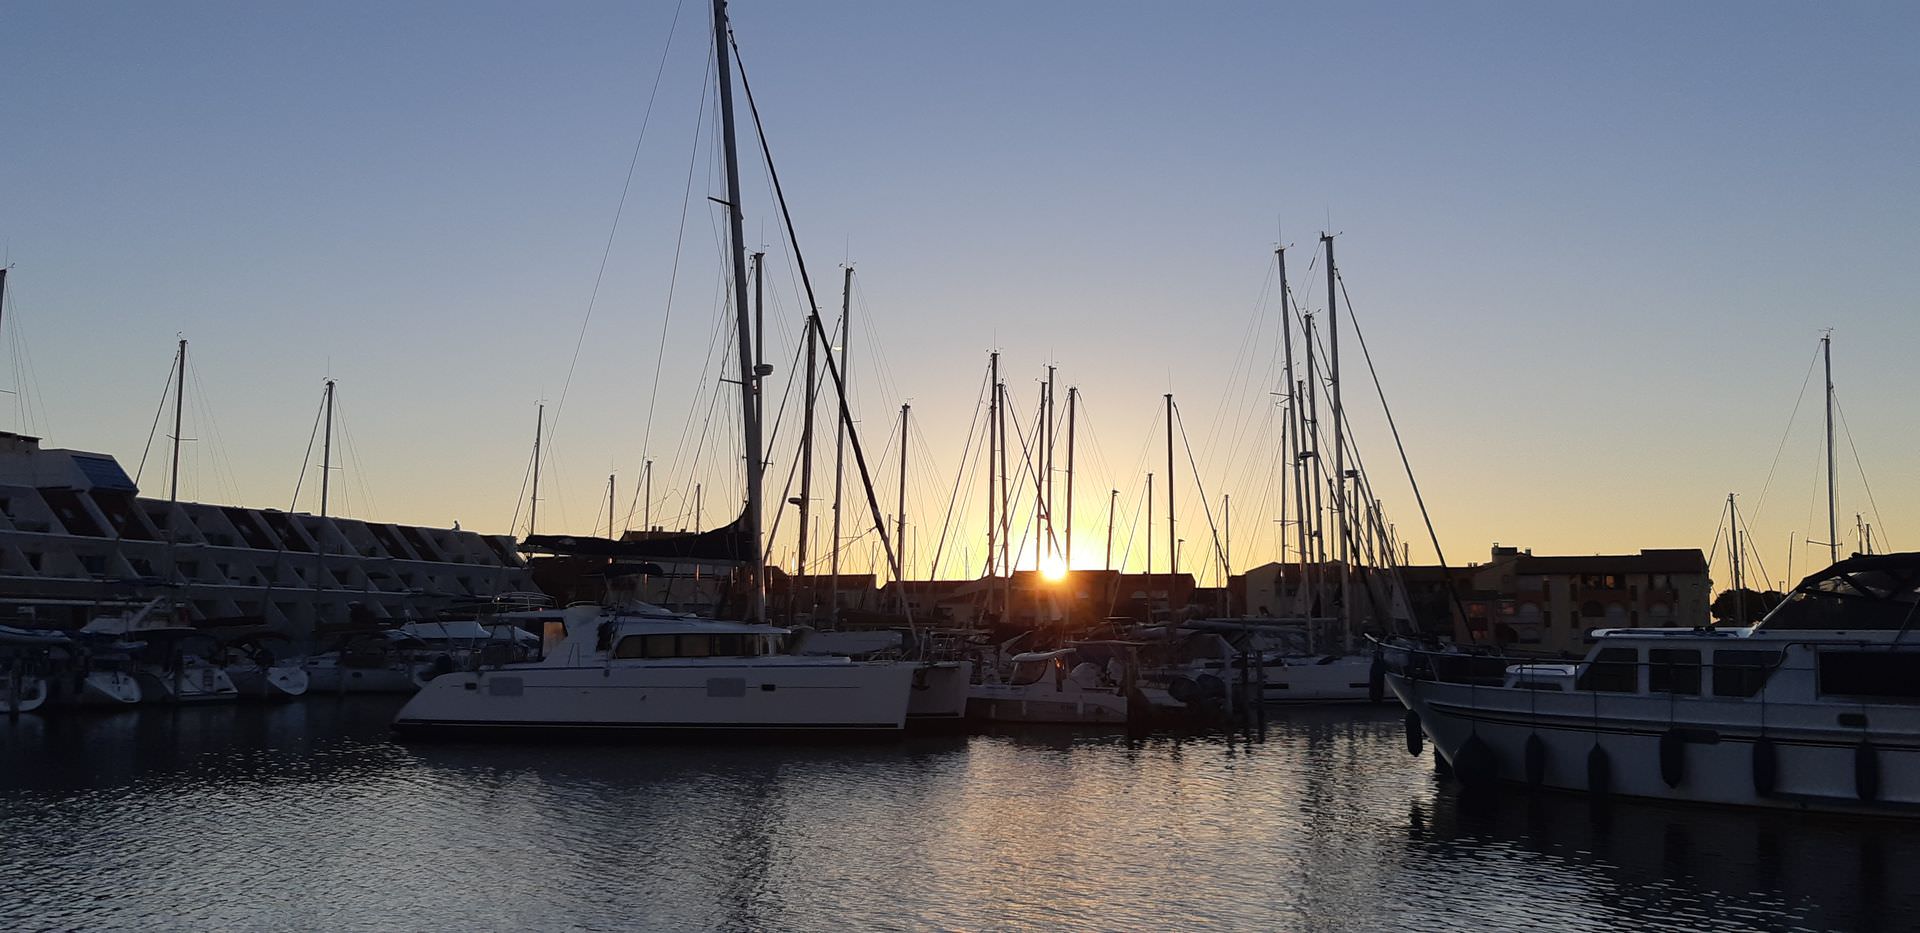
[{"x": 306, "y": 817}]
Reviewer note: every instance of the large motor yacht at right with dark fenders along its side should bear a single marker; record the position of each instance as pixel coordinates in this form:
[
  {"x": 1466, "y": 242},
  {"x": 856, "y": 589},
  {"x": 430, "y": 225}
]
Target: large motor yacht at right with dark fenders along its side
[{"x": 1817, "y": 707}]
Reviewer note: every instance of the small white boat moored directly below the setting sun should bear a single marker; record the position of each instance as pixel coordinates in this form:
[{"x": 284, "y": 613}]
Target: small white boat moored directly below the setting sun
[{"x": 1053, "y": 688}]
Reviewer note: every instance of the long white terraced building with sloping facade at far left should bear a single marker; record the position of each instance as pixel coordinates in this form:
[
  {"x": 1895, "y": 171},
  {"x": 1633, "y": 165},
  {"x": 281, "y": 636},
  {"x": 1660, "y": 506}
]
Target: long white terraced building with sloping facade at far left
[{"x": 78, "y": 540}]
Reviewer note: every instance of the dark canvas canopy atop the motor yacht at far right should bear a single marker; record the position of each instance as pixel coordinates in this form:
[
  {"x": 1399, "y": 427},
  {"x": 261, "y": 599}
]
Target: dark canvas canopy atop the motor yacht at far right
[{"x": 1860, "y": 594}]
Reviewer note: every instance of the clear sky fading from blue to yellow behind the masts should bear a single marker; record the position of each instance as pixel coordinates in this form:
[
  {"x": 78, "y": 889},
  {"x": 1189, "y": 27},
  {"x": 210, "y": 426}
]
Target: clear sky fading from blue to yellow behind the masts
[{"x": 1593, "y": 251}]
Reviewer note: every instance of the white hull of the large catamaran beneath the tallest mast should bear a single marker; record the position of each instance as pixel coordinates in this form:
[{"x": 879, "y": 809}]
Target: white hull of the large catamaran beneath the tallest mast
[{"x": 658, "y": 702}]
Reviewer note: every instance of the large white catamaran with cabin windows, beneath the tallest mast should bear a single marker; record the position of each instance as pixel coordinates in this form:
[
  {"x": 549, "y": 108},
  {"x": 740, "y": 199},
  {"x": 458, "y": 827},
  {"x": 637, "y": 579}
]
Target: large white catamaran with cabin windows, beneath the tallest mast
[{"x": 648, "y": 673}]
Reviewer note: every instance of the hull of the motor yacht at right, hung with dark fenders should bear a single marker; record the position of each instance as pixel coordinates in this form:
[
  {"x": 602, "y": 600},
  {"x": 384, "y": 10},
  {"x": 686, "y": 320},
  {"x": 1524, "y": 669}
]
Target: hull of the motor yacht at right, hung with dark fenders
[{"x": 1712, "y": 748}]
